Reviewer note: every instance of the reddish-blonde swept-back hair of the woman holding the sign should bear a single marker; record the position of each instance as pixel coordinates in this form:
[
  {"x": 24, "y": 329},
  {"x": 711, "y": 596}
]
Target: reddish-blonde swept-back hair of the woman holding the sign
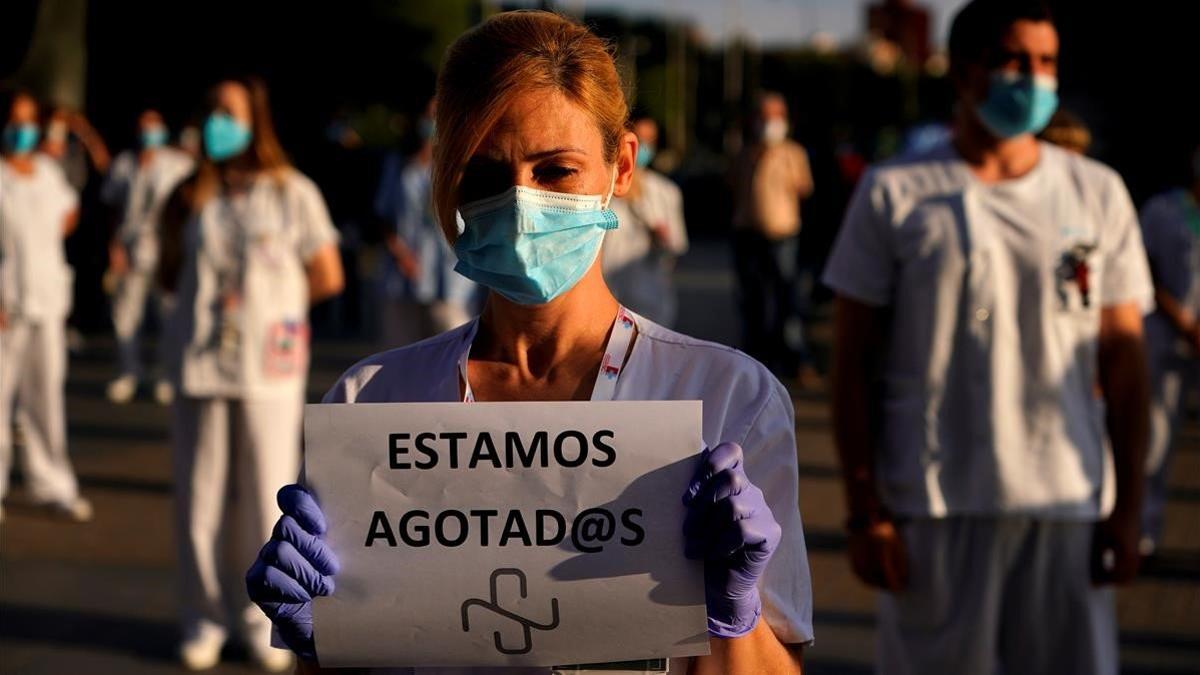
[{"x": 506, "y": 57}]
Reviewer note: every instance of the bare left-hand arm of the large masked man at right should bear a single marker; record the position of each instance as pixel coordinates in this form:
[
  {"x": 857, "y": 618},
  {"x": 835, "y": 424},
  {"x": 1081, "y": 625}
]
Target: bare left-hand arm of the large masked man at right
[{"x": 877, "y": 552}]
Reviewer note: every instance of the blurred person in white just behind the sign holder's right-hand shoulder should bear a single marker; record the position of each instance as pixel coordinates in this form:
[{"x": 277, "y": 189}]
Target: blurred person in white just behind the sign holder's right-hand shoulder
[{"x": 639, "y": 258}]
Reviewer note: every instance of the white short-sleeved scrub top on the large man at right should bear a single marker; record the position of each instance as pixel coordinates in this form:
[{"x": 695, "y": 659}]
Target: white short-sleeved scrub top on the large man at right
[{"x": 992, "y": 365}]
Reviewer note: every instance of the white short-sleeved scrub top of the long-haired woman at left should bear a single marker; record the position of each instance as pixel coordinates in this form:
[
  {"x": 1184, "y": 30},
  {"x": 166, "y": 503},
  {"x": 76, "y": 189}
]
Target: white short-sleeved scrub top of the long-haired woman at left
[{"x": 254, "y": 246}]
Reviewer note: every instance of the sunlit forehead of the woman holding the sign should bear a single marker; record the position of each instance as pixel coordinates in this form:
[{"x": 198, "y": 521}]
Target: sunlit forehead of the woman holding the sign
[{"x": 541, "y": 122}]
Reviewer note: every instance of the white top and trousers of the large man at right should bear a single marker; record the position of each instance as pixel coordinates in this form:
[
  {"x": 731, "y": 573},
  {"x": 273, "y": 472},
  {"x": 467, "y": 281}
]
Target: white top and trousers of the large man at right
[{"x": 993, "y": 444}]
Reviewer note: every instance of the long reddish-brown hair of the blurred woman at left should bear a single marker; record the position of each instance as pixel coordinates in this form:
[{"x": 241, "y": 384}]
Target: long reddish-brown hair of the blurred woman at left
[{"x": 265, "y": 154}]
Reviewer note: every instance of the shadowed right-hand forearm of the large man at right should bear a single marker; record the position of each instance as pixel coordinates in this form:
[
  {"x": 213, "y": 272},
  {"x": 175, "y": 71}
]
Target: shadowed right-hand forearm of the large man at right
[{"x": 1125, "y": 384}]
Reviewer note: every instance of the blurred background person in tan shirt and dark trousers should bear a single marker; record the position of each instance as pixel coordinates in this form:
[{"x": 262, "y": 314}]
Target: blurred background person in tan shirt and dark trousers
[{"x": 770, "y": 180}]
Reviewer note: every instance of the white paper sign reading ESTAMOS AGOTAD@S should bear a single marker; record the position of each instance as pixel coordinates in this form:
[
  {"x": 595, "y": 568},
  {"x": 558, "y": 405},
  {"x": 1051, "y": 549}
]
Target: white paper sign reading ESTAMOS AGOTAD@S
[{"x": 526, "y": 534}]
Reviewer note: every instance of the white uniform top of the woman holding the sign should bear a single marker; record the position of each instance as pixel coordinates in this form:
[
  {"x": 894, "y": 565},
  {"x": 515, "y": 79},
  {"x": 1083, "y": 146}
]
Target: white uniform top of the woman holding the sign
[{"x": 743, "y": 404}]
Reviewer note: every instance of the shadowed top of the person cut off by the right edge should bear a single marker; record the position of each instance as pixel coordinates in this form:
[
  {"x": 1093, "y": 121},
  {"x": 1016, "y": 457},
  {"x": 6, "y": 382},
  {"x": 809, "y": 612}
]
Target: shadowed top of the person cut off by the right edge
[{"x": 1171, "y": 226}]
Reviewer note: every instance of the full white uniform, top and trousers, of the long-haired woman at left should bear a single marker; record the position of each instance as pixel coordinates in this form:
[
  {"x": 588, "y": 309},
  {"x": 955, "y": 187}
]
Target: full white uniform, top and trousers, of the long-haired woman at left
[{"x": 241, "y": 375}]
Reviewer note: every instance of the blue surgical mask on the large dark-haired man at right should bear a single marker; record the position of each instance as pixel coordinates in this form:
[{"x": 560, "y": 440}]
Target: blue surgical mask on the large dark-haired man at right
[{"x": 1019, "y": 104}]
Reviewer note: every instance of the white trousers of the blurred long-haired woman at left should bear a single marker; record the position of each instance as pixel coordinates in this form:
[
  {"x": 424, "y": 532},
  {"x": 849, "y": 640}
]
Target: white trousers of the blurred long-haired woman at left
[{"x": 231, "y": 458}]
